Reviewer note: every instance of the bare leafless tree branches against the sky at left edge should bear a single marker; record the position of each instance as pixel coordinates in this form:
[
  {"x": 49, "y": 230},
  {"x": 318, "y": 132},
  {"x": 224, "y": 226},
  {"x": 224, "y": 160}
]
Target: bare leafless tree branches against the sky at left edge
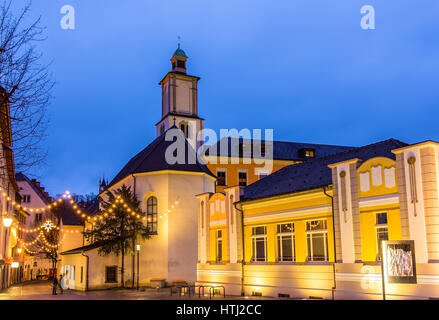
[{"x": 27, "y": 83}]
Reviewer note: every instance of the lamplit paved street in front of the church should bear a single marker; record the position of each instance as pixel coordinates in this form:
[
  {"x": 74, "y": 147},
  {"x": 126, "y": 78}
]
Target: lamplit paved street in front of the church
[{"x": 41, "y": 290}]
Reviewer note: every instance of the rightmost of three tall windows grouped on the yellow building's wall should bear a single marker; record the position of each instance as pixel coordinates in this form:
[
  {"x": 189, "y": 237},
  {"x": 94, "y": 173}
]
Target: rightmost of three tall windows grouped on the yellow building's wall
[{"x": 317, "y": 240}]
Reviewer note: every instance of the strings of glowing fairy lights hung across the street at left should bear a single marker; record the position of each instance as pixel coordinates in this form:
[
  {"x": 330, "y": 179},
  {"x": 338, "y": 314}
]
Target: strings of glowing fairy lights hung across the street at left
[{"x": 49, "y": 225}]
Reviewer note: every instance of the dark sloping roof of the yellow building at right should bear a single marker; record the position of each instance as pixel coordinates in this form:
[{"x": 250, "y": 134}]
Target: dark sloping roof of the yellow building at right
[{"x": 315, "y": 173}]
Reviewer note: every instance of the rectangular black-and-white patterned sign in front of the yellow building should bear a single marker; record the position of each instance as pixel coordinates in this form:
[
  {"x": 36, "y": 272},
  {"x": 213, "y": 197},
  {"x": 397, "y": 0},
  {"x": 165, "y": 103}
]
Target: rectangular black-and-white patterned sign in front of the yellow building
[{"x": 399, "y": 264}]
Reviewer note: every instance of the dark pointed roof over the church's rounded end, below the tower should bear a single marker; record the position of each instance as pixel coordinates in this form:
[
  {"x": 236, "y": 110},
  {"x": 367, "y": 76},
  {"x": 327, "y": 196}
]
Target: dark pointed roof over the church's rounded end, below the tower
[{"x": 152, "y": 158}]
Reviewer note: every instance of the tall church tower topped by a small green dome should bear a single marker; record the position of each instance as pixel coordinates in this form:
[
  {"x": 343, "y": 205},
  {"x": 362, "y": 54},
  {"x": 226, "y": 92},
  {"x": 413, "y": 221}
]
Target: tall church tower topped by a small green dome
[{"x": 180, "y": 100}]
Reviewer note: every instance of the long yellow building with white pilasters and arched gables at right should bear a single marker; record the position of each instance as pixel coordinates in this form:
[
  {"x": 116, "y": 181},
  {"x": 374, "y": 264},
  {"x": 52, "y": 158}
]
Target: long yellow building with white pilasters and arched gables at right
[{"x": 314, "y": 229}]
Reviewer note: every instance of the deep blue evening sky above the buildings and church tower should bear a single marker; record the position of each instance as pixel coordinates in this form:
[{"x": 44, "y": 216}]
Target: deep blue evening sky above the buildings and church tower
[{"x": 302, "y": 67}]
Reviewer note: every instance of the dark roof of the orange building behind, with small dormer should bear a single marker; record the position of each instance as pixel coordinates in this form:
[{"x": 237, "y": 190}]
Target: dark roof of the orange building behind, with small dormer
[{"x": 283, "y": 150}]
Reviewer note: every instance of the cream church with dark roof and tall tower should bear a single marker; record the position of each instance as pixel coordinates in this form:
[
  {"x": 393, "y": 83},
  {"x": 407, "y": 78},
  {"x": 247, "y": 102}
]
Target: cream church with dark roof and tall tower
[{"x": 167, "y": 193}]
